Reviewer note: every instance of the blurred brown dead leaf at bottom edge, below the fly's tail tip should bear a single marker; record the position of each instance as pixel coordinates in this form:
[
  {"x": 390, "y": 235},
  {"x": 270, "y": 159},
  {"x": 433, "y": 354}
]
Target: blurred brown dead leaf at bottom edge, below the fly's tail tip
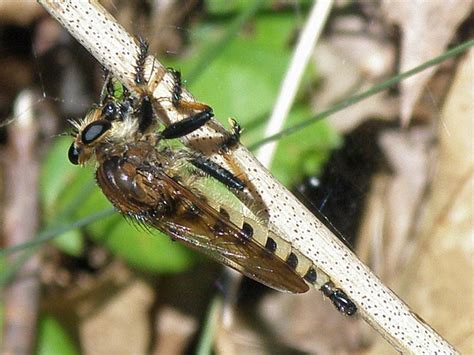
[{"x": 283, "y": 323}]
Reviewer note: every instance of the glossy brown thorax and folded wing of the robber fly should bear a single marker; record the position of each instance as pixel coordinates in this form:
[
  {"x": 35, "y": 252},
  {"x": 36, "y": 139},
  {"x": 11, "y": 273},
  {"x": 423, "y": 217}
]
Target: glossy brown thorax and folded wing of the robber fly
[{"x": 146, "y": 193}]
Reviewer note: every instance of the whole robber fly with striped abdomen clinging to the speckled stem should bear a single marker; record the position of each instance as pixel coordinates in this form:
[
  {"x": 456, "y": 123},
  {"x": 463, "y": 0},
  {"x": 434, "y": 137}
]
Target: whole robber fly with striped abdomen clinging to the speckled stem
[{"x": 160, "y": 185}]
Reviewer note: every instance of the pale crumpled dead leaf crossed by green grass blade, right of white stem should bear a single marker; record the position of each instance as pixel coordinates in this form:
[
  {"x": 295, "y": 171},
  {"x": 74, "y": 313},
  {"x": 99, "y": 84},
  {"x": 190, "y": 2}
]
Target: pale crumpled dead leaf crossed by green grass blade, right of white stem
[{"x": 352, "y": 59}]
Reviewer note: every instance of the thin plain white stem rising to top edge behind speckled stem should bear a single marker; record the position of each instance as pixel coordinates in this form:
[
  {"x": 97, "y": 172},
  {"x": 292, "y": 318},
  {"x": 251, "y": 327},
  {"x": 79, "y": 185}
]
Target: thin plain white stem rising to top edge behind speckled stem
[{"x": 289, "y": 87}]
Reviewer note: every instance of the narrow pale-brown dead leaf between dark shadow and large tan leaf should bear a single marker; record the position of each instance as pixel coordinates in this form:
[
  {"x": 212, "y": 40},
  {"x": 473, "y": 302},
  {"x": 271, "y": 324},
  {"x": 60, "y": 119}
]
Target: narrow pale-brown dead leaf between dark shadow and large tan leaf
[{"x": 394, "y": 200}]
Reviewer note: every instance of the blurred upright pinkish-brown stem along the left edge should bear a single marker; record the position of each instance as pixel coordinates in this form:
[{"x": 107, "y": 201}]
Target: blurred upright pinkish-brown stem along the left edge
[{"x": 21, "y": 222}]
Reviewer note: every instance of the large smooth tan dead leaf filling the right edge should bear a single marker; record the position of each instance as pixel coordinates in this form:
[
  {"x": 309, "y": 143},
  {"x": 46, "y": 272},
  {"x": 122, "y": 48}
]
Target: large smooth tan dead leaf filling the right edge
[{"x": 438, "y": 283}]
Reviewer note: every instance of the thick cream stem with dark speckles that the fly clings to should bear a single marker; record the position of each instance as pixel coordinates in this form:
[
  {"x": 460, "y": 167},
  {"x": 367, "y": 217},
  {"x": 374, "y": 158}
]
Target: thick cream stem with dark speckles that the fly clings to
[{"x": 116, "y": 49}]
